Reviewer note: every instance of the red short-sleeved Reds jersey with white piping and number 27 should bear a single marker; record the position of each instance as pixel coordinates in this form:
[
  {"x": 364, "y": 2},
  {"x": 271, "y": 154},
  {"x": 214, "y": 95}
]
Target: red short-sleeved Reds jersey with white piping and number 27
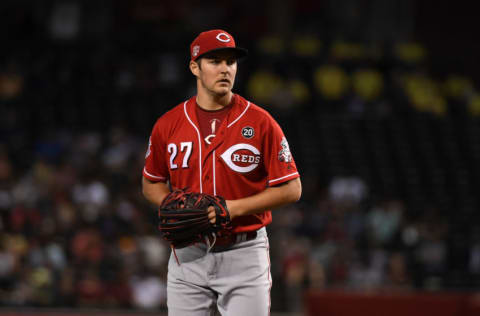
[{"x": 248, "y": 154}]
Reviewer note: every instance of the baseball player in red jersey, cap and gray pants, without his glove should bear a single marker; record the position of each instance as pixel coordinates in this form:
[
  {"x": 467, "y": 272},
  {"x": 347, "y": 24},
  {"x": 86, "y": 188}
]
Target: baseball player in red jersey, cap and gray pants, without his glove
[{"x": 219, "y": 143}]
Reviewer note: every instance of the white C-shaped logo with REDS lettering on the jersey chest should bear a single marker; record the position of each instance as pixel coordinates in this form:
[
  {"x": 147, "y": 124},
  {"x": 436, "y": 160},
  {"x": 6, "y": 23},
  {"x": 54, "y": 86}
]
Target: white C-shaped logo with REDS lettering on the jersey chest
[{"x": 242, "y": 157}]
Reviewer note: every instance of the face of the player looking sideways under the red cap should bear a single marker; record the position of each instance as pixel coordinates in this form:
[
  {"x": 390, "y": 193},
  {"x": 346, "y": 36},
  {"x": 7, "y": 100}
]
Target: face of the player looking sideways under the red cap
[{"x": 217, "y": 72}]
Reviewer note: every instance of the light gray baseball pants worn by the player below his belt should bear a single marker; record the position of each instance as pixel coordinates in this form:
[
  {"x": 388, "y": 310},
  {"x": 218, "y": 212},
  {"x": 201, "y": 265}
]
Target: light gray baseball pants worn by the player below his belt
[{"x": 236, "y": 280}]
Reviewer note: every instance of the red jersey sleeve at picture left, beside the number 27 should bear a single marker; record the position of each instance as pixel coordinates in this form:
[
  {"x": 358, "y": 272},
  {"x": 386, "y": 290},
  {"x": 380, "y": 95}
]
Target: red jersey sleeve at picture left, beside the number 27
[{"x": 155, "y": 168}]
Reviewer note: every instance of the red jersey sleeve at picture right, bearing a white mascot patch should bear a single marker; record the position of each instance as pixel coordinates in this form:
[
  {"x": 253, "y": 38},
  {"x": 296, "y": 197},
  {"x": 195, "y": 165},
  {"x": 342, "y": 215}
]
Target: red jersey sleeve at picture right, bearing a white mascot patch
[{"x": 279, "y": 162}]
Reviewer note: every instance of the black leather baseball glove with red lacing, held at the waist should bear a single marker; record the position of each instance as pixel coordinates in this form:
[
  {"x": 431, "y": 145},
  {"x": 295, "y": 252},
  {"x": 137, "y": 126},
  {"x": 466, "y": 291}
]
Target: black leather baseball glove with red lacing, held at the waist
[{"x": 184, "y": 217}]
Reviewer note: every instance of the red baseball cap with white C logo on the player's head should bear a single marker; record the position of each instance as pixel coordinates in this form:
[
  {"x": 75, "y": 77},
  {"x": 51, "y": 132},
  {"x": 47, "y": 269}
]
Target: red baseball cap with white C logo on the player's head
[{"x": 214, "y": 40}]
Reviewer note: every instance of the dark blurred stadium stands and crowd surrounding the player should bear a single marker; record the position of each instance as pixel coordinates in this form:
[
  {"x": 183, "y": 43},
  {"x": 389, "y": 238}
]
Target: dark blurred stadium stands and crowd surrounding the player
[{"x": 380, "y": 102}]
